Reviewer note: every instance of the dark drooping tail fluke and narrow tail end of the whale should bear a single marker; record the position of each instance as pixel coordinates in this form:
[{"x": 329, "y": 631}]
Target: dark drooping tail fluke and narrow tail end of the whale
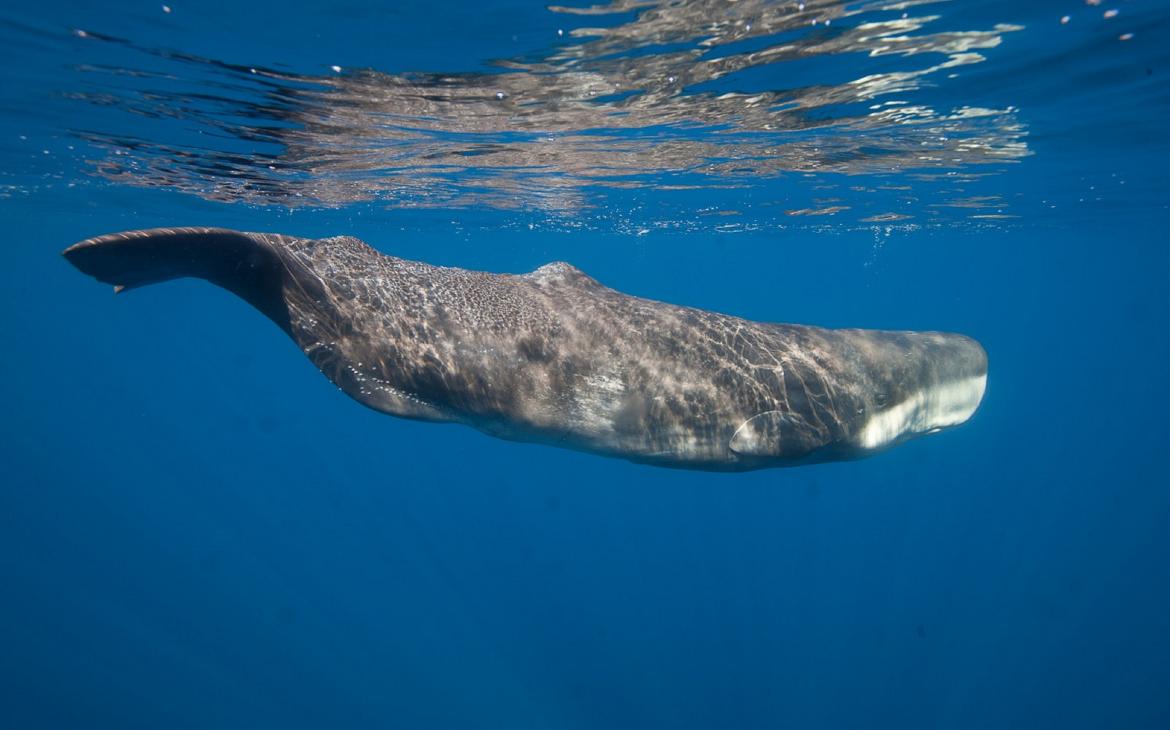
[{"x": 245, "y": 264}]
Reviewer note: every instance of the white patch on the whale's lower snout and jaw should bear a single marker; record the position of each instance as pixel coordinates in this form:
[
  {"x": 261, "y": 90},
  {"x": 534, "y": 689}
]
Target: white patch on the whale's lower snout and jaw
[{"x": 931, "y": 410}]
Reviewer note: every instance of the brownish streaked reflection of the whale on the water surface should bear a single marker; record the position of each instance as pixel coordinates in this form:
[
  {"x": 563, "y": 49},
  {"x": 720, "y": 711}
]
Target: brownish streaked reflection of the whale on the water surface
[{"x": 698, "y": 94}]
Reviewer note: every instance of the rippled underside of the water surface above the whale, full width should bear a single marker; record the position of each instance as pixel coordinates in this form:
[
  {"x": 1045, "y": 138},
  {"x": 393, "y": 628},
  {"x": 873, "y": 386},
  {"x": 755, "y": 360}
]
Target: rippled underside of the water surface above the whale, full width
[{"x": 848, "y": 114}]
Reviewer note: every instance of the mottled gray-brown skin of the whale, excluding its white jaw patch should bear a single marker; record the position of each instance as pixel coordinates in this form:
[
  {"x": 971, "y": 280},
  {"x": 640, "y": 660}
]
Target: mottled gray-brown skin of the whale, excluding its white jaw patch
[{"x": 553, "y": 356}]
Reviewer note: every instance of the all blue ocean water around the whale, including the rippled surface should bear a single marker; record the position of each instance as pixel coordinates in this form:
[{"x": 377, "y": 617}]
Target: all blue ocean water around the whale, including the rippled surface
[{"x": 197, "y": 531}]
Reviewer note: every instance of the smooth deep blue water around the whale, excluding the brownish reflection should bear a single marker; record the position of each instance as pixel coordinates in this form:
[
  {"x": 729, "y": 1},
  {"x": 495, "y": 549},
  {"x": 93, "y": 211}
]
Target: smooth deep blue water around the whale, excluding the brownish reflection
[{"x": 198, "y": 531}]
